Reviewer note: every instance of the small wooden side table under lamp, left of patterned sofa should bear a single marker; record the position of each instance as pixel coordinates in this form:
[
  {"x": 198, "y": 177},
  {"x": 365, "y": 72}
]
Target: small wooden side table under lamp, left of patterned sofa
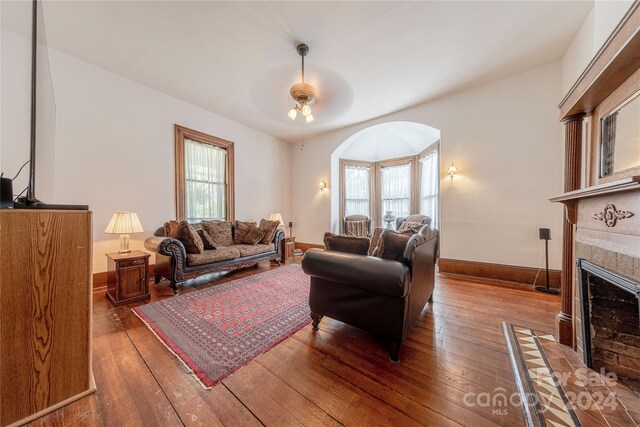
[{"x": 127, "y": 277}]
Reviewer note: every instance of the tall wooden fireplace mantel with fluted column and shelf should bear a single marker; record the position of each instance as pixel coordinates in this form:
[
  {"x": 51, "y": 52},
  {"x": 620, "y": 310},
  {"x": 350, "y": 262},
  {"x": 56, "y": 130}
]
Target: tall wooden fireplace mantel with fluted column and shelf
[{"x": 613, "y": 66}]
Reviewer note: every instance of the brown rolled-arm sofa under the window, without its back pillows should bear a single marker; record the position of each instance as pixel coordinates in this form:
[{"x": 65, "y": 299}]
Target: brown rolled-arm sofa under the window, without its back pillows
[{"x": 176, "y": 265}]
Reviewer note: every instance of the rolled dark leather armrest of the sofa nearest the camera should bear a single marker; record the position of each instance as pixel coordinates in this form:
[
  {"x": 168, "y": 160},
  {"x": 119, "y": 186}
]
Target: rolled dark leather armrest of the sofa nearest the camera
[{"x": 372, "y": 274}]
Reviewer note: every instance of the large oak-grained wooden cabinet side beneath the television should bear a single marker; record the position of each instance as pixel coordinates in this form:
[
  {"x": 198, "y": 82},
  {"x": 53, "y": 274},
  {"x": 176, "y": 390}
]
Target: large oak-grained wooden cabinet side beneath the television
[{"x": 45, "y": 311}]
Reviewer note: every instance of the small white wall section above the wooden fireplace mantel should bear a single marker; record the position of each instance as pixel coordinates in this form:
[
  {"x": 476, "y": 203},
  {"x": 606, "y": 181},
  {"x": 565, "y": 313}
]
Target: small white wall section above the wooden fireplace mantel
[{"x": 595, "y": 30}]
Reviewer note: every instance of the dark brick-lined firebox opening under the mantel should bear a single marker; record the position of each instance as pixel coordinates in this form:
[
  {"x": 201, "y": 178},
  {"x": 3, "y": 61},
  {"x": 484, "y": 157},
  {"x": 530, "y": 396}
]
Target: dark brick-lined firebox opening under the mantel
[{"x": 610, "y": 306}]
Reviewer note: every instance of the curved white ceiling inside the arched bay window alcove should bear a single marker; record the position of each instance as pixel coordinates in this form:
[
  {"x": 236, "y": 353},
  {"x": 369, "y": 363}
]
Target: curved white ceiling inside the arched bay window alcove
[{"x": 388, "y": 141}]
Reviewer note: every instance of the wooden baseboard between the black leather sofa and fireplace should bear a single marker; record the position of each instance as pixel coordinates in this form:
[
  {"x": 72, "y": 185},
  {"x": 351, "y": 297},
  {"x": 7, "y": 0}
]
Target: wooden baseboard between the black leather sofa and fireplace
[{"x": 510, "y": 273}]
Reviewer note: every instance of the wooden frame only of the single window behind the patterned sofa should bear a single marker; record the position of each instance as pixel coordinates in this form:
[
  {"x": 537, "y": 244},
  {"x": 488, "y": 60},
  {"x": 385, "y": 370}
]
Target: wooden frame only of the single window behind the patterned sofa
[{"x": 182, "y": 133}]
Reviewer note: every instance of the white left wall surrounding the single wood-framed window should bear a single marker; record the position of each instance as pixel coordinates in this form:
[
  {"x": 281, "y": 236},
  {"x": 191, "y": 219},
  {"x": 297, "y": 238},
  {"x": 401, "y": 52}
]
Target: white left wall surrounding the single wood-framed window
[{"x": 115, "y": 143}]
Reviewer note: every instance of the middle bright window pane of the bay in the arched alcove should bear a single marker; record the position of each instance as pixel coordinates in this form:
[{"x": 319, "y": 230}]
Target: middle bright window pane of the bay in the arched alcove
[{"x": 395, "y": 189}]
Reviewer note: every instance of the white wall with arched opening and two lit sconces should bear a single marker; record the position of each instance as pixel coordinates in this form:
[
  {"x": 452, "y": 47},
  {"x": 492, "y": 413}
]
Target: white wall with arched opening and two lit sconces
[{"x": 506, "y": 141}]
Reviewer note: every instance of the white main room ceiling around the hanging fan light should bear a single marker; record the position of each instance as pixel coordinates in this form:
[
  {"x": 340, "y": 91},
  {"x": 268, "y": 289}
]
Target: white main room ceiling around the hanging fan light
[{"x": 366, "y": 59}]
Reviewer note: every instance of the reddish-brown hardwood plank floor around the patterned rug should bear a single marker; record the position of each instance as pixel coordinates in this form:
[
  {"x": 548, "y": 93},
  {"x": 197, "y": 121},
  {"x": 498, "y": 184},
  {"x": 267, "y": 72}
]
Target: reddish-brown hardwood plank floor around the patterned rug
[{"x": 337, "y": 376}]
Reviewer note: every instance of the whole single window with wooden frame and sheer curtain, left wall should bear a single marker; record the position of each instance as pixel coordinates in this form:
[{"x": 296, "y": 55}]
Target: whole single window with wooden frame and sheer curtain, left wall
[{"x": 204, "y": 176}]
